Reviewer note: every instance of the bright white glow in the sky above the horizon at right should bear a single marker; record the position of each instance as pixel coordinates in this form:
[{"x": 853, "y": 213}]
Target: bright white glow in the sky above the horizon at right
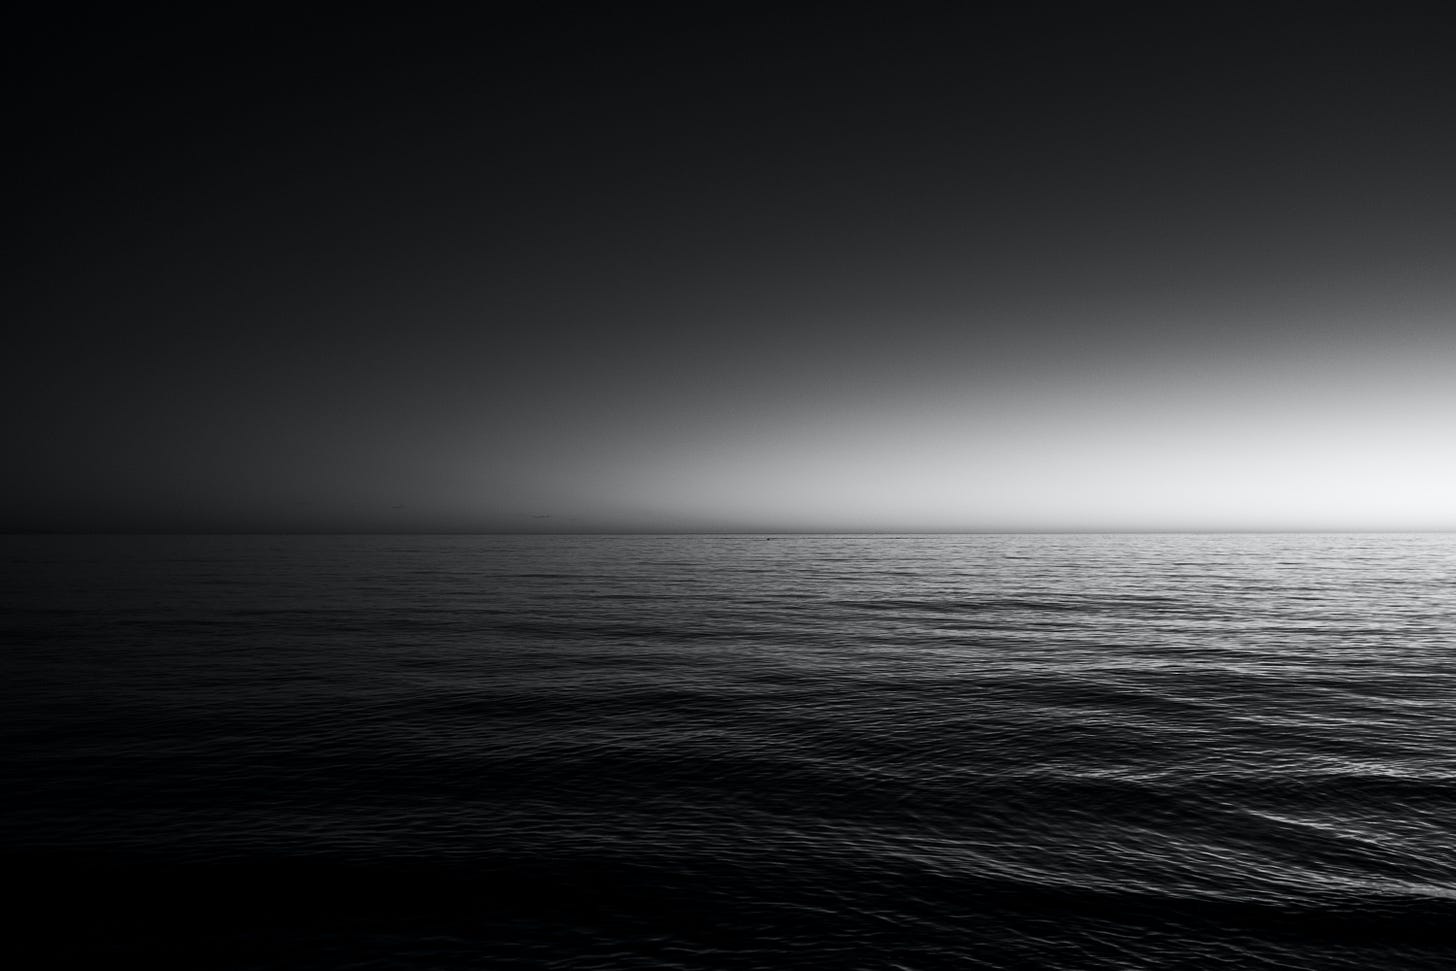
[{"x": 1281, "y": 445}]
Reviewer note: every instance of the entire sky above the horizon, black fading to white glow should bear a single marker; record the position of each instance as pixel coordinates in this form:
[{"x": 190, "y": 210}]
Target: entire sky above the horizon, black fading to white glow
[{"x": 733, "y": 270}]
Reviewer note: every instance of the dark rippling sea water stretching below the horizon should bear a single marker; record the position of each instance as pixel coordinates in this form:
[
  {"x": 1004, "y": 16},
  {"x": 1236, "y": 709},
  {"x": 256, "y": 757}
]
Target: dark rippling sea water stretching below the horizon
[{"x": 965, "y": 752}]
